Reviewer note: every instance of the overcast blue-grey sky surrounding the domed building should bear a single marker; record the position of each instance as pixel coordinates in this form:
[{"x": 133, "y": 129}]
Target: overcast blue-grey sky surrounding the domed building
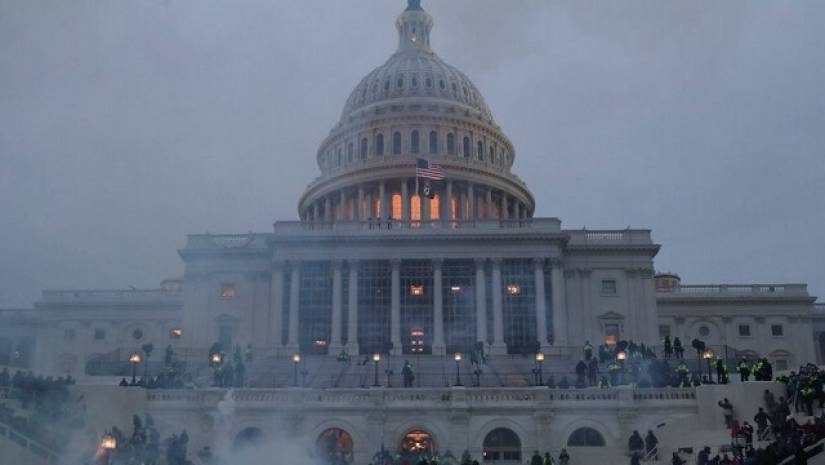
[{"x": 127, "y": 124}]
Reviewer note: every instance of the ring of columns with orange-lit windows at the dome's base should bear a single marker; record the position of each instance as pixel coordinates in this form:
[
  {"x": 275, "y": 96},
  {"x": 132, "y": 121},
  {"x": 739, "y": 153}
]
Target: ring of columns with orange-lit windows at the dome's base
[{"x": 398, "y": 200}]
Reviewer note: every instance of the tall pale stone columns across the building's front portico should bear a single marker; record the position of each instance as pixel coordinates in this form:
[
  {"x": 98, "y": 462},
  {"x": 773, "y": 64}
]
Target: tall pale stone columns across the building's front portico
[{"x": 497, "y": 342}]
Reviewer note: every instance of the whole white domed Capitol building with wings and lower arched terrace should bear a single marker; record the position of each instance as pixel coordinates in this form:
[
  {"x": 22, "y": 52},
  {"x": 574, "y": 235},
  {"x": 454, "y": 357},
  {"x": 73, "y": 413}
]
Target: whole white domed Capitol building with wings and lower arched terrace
[{"x": 385, "y": 266}]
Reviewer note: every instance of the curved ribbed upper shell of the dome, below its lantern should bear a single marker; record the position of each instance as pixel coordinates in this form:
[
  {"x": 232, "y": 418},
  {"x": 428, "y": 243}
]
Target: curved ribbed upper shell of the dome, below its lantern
[{"x": 416, "y": 72}]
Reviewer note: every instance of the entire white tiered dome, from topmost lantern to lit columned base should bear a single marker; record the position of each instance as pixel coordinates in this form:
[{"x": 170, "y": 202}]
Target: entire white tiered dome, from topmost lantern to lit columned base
[{"x": 415, "y": 114}]
